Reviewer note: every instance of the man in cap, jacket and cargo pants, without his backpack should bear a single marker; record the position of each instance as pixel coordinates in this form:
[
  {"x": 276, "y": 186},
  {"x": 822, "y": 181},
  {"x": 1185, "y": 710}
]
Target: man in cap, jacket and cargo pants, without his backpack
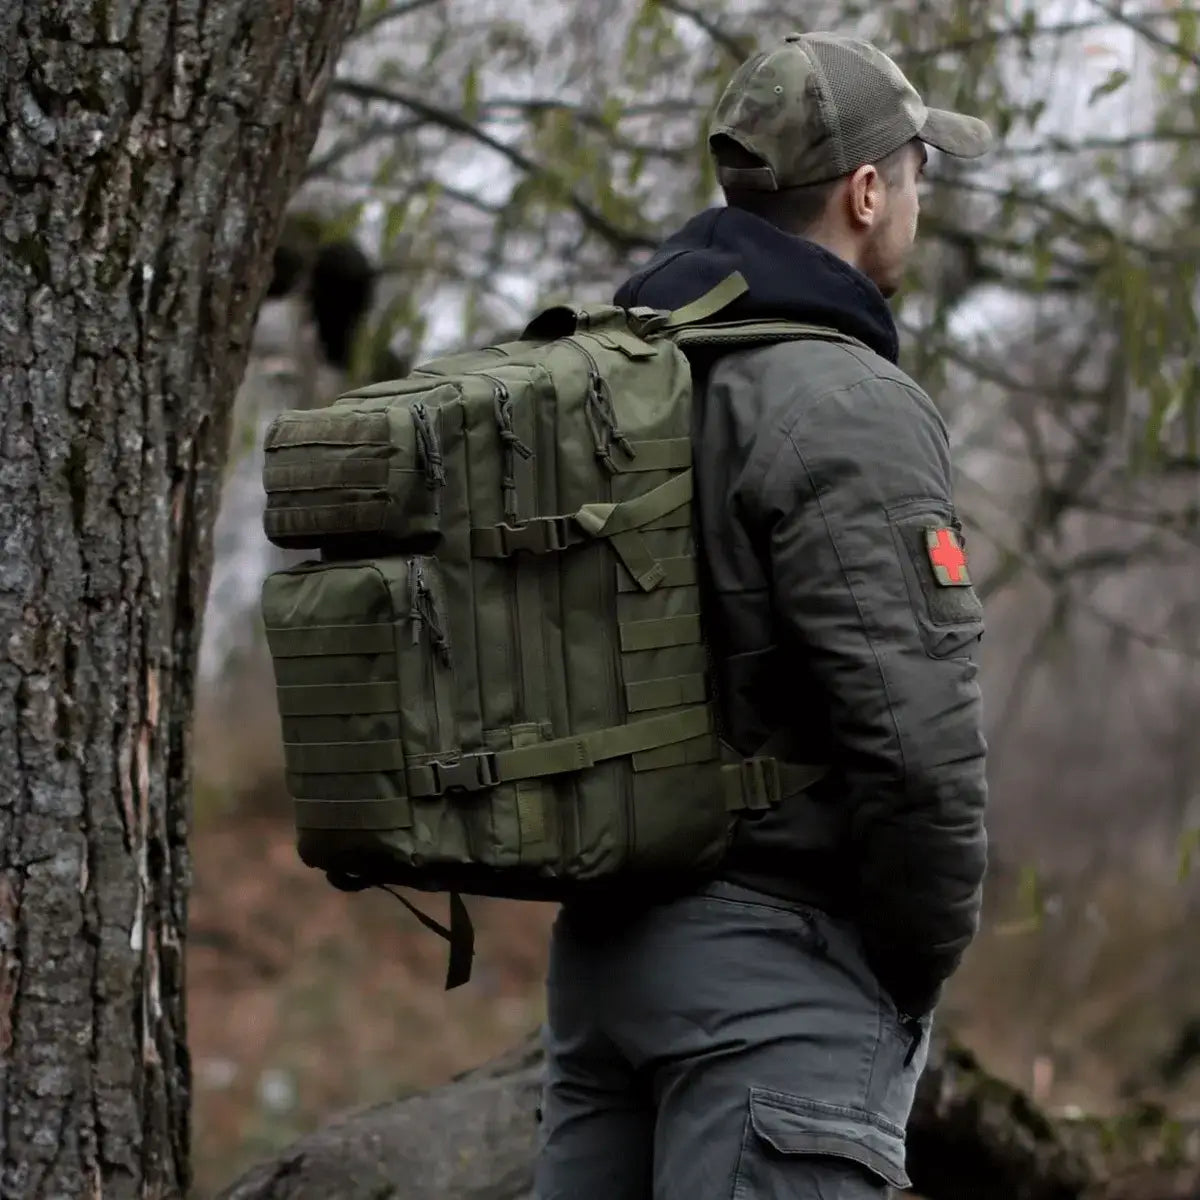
[{"x": 763, "y": 1037}]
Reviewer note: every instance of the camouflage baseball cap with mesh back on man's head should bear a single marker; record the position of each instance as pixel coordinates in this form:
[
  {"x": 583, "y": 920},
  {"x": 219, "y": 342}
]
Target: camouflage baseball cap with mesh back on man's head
[{"x": 817, "y": 107}]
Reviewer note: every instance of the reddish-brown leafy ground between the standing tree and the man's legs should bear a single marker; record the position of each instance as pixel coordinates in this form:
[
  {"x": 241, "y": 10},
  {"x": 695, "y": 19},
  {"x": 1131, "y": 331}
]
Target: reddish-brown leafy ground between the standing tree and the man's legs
[{"x": 304, "y": 1001}]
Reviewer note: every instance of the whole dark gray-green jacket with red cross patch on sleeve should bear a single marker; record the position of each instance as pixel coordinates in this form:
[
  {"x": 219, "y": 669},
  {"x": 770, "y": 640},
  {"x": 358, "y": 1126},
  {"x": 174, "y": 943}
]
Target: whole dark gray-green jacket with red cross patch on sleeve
[{"x": 825, "y": 507}]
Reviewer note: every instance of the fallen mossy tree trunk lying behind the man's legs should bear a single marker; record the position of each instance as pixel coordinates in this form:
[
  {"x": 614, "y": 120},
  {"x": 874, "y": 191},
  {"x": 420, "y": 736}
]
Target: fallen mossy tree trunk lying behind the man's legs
[{"x": 970, "y": 1136}]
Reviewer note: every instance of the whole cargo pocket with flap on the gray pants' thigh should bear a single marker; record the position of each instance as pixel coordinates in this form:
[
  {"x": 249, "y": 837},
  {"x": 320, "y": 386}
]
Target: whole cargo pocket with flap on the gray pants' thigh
[{"x": 791, "y": 1145}]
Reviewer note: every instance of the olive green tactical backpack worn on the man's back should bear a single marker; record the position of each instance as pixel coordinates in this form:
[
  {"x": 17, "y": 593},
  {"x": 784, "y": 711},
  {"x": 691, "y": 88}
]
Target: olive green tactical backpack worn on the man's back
[{"x": 494, "y": 680}]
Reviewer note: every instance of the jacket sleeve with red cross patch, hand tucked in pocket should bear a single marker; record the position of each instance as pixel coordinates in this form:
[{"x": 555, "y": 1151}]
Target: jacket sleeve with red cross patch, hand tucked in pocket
[{"x": 855, "y": 518}]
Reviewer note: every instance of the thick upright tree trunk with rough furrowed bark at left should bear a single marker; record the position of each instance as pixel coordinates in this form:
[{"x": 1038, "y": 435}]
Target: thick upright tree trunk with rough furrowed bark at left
[{"x": 149, "y": 151}]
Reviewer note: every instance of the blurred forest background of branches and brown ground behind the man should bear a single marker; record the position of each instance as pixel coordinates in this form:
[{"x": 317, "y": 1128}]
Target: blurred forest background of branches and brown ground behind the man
[{"x": 490, "y": 158}]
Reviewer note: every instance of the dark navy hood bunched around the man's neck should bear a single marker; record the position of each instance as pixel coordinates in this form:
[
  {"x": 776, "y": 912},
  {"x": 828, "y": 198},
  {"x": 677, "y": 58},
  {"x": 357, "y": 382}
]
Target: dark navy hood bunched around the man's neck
[{"x": 788, "y": 277}]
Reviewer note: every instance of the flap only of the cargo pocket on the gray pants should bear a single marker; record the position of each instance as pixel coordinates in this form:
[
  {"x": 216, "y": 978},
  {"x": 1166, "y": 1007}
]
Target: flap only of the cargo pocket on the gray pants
[{"x": 795, "y": 1126}]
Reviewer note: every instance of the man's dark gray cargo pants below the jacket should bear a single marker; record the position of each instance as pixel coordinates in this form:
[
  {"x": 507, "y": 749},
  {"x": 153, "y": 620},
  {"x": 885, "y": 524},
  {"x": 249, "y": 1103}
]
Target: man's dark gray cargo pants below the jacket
[{"x": 723, "y": 1047}]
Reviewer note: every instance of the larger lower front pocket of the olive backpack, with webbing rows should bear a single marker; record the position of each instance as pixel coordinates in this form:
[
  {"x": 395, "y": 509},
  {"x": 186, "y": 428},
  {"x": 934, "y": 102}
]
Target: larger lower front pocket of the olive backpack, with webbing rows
[{"x": 363, "y": 674}]
